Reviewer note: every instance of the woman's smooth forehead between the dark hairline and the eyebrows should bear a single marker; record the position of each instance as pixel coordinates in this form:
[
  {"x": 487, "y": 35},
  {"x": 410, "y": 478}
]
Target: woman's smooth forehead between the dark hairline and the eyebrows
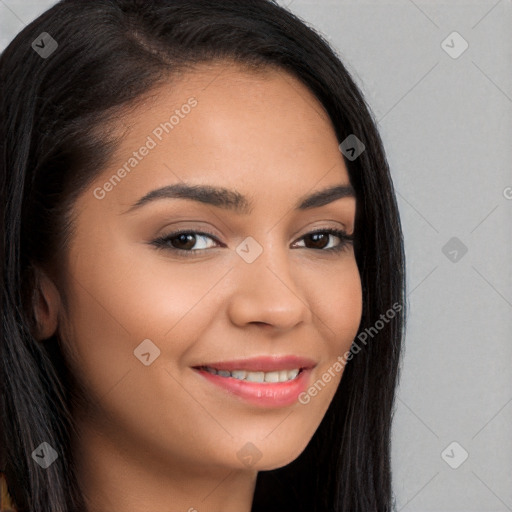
[{"x": 225, "y": 125}]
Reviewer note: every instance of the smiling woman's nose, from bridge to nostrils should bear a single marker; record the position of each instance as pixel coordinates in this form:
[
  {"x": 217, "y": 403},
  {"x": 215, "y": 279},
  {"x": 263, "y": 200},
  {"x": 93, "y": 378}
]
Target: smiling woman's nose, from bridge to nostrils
[{"x": 266, "y": 292}]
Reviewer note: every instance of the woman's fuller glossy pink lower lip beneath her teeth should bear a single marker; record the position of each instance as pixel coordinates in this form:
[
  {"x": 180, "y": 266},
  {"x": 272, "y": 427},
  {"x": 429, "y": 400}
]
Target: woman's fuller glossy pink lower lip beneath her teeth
[{"x": 276, "y": 394}]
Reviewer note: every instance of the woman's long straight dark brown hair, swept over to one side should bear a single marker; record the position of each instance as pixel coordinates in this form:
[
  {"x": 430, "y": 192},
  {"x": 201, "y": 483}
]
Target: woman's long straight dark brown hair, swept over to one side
[{"x": 53, "y": 114}]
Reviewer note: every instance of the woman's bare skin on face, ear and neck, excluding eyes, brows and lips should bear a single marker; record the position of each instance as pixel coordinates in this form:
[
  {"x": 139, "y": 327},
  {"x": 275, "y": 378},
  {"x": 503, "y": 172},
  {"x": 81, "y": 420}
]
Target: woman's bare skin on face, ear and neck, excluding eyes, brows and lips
[{"x": 160, "y": 437}]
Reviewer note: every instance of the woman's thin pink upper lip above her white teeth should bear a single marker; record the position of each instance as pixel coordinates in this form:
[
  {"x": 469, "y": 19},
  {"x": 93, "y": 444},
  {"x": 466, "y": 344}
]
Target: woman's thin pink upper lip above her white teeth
[{"x": 263, "y": 364}]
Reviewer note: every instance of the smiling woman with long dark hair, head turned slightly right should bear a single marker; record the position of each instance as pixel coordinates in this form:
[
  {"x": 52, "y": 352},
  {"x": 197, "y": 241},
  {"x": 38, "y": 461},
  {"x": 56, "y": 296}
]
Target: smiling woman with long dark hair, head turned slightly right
[{"x": 255, "y": 371}]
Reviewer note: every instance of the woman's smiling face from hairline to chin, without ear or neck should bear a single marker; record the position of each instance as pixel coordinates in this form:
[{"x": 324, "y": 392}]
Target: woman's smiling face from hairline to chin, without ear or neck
[{"x": 144, "y": 316}]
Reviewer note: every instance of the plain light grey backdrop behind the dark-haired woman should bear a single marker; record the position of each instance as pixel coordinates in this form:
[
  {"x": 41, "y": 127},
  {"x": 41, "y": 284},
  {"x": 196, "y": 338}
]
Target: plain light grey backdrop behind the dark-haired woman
[{"x": 446, "y": 124}]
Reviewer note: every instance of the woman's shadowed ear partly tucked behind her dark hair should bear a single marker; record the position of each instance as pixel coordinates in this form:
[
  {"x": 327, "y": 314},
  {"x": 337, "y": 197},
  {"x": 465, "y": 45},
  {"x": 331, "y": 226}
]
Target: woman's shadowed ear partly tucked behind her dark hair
[{"x": 46, "y": 304}]
